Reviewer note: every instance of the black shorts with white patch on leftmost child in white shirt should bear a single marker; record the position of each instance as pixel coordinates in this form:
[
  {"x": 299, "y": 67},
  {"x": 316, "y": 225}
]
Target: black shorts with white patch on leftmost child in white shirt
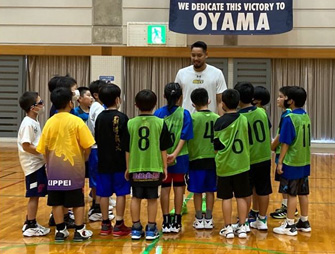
[{"x": 36, "y": 183}]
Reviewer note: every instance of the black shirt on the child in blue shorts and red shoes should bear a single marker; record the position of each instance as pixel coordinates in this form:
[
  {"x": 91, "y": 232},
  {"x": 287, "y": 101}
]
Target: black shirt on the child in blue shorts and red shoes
[{"x": 111, "y": 136}]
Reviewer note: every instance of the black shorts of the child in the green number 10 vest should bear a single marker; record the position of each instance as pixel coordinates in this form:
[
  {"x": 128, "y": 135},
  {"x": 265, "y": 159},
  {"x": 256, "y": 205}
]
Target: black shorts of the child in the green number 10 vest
[{"x": 260, "y": 178}]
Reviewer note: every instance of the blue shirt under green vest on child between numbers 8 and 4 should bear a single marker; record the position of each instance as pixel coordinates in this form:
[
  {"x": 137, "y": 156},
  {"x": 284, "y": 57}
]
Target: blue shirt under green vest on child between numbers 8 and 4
[{"x": 182, "y": 164}]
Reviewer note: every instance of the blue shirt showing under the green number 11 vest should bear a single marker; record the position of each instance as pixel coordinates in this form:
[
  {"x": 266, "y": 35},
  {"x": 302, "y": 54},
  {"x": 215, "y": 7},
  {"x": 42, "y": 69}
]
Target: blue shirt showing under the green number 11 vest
[{"x": 287, "y": 136}]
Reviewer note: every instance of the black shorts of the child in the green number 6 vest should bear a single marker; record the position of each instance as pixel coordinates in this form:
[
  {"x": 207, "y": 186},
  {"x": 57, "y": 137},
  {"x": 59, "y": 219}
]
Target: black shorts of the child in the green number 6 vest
[{"x": 236, "y": 185}]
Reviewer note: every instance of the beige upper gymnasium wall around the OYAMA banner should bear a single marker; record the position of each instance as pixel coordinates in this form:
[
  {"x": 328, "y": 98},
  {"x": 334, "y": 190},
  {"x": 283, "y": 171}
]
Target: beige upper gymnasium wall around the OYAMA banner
[{"x": 105, "y": 22}]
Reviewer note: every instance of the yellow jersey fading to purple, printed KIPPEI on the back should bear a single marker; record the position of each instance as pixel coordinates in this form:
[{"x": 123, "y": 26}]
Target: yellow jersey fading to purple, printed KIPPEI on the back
[{"x": 63, "y": 140}]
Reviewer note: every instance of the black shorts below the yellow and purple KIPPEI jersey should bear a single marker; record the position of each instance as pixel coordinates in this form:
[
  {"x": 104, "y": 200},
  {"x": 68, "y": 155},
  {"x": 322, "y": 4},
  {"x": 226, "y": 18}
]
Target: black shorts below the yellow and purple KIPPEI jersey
[{"x": 68, "y": 198}]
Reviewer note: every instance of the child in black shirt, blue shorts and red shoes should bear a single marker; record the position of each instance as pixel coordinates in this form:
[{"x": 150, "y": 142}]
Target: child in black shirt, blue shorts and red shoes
[{"x": 111, "y": 135}]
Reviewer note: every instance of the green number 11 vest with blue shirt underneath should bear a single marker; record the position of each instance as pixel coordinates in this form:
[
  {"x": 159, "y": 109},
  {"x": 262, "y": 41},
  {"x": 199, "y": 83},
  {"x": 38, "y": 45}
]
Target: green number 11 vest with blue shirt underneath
[{"x": 296, "y": 133}]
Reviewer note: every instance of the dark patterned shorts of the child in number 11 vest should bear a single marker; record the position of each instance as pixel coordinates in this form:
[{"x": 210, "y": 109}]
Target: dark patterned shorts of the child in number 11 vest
[{"x": 294, "y": 187}]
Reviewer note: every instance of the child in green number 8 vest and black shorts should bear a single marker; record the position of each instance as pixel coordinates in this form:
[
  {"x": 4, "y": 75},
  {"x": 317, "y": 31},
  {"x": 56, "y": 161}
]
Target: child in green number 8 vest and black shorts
[{"x": 146, "y": 162}]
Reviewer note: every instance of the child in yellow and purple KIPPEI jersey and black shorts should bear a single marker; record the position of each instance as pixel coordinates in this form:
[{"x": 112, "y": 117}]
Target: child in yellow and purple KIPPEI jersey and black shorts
[{"x": 66, "y": 143}]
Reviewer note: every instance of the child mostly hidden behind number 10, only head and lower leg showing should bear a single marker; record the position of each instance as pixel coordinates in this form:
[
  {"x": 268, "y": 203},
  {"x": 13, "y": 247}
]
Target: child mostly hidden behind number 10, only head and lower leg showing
[{"x": 260, "y": 100}]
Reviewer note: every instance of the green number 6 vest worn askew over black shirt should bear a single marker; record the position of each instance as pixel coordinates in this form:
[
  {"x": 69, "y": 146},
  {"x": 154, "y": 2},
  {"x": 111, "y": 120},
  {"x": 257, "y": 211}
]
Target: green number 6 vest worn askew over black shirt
[{"x": 232, "y": 144}]
